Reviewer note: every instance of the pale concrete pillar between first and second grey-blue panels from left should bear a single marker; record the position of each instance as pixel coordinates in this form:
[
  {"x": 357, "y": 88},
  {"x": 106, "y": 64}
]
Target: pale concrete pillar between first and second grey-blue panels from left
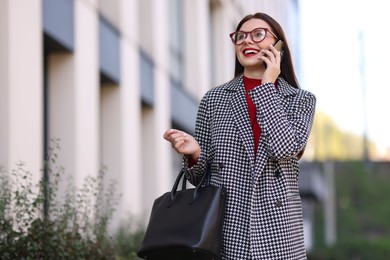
[{"x": 87, "y": 91}]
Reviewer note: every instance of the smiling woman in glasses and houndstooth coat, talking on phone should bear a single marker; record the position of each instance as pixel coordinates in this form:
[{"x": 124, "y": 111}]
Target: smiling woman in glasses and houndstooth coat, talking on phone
[{"x": 253, "y": 130}]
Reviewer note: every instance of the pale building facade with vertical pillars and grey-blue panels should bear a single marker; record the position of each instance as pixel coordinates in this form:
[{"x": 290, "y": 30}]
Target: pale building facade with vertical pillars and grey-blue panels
[{"x": 110, "y": 79}]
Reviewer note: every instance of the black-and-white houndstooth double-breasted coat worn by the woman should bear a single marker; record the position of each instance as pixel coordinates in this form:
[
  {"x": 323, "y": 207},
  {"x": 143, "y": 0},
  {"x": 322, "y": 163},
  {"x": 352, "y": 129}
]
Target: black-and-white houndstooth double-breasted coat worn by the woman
[{"x": 263, "y": 218}]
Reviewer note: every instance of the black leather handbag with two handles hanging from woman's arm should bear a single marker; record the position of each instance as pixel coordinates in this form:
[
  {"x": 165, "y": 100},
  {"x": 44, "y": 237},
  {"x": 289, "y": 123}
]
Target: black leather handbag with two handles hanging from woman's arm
[{"x": 186, "y": 224}]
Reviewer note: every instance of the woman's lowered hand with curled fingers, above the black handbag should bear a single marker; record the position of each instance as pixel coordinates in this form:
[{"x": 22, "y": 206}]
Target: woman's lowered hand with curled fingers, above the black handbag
[{"x": 183, "y": 143}]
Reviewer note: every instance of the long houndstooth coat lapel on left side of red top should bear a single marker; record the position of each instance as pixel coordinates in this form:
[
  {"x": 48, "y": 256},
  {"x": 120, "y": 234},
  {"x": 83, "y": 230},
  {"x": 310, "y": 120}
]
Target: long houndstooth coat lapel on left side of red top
[{"x": 240, "y": 114}]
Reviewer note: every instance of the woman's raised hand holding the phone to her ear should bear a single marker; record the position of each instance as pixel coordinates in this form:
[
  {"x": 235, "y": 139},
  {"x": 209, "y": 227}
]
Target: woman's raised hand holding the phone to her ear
[{"x": 272, "y": 58}]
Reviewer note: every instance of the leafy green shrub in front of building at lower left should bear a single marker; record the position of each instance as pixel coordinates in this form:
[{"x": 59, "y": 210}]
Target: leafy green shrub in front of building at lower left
[{"x": 76, "y": 224}]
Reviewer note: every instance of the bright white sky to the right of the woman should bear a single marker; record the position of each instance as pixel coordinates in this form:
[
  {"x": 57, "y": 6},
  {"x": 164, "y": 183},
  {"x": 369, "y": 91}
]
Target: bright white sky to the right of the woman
[{"x": 345, "y": 63}]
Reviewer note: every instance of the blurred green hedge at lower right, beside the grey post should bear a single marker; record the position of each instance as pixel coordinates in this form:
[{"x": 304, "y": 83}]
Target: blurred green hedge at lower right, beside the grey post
[{"x": 363, "y": 210}]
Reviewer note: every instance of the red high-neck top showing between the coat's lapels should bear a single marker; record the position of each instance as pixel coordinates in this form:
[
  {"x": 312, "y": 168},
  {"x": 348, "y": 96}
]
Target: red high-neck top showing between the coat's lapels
[{"x": 250, "y": 84}]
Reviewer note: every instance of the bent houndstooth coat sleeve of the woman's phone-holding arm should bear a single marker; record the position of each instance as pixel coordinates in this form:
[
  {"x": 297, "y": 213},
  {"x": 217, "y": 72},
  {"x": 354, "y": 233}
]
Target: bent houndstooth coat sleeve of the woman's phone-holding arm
[{"x": 285, "y": 129}]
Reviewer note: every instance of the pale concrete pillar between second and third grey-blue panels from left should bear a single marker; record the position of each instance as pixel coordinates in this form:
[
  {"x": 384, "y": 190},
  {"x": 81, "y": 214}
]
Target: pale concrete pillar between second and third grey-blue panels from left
[{"x": 130, "y": 110}]
